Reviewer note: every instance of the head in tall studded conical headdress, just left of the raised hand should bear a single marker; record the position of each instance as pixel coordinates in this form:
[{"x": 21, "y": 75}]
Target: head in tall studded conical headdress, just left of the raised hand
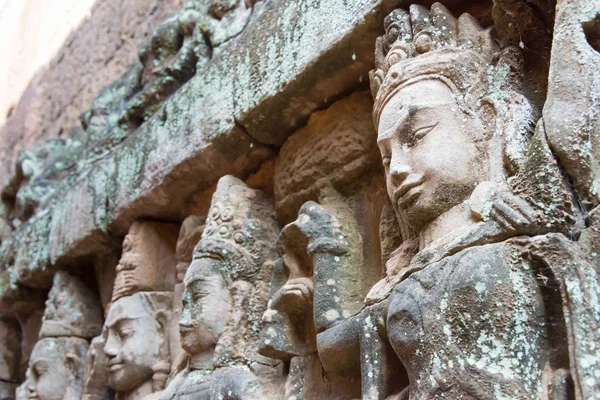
[{"x": 227, "y": 265}]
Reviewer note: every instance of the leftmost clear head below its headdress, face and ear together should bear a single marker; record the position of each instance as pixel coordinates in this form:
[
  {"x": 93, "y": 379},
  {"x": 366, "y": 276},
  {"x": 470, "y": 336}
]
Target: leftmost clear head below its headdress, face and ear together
[{"x": 56, "y": 368}]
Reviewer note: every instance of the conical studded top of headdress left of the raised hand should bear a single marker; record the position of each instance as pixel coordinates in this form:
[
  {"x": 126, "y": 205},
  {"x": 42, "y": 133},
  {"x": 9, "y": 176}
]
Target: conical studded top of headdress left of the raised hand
[{"x": 240, "y": 230}]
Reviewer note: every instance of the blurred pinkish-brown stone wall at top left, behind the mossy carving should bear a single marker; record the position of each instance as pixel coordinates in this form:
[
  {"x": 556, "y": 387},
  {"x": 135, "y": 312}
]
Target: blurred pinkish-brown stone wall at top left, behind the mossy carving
[{"x": 95, "y": 54}]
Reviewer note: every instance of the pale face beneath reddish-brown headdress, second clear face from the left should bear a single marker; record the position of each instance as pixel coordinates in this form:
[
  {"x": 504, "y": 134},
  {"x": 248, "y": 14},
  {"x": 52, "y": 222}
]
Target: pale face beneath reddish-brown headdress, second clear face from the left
[{"x": 133, "y": 341}]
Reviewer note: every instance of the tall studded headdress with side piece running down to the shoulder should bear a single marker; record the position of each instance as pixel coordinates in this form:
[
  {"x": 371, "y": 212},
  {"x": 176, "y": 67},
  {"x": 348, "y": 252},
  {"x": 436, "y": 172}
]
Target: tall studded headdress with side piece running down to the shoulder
[{"x": 241, "y": 232}]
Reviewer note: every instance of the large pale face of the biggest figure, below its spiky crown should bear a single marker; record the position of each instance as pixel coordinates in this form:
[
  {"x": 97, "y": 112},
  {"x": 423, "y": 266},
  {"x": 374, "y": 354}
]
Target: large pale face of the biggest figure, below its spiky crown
[{"x": 430, "y": 152}]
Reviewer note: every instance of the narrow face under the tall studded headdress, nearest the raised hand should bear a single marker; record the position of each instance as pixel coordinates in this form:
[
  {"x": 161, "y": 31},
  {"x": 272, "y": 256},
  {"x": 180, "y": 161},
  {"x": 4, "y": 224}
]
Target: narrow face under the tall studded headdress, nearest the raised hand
[{"x": 206, "y": 306}]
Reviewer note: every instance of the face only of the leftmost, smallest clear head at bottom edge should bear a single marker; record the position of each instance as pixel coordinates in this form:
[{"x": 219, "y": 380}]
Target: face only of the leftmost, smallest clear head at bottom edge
[{"x": 49, "y": 374}]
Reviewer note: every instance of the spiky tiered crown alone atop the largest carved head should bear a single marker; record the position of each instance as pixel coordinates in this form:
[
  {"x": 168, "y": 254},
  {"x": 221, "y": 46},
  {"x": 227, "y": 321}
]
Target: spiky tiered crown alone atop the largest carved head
[{"x": 433, "y": 42}]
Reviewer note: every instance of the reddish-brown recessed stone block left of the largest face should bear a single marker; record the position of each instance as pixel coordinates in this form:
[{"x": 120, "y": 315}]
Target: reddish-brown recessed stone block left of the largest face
[{"x": 336, "y": 147}]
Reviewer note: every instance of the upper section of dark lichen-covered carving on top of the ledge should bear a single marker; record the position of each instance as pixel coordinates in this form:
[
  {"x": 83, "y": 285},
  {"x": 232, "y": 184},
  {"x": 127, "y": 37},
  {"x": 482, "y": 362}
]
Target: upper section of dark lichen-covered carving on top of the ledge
[{"x": 180, "y": 46}]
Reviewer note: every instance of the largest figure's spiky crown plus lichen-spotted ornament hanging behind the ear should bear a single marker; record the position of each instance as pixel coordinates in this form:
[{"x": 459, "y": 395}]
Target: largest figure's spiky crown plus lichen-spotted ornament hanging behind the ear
[{"x": 431, "y": 44}]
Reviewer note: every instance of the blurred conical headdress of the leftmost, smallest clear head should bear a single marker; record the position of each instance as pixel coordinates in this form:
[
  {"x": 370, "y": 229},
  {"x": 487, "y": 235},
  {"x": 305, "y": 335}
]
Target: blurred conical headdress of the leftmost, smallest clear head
[{"x": 72, "y": 309}]
